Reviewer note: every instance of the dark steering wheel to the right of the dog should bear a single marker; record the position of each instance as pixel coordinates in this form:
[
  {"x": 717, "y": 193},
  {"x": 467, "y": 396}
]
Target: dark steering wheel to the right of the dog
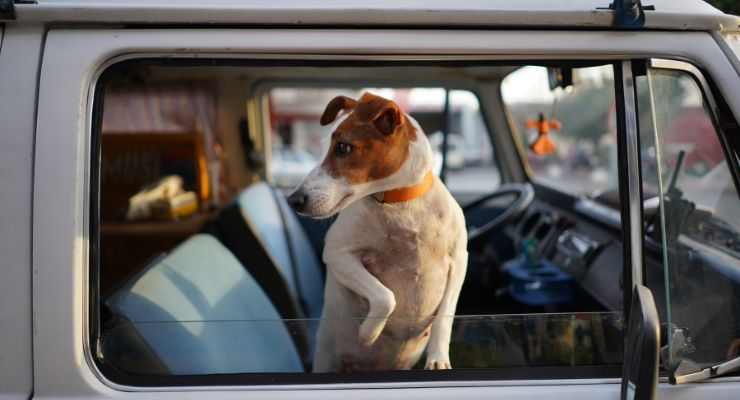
[{"x": 477, "y": 235}]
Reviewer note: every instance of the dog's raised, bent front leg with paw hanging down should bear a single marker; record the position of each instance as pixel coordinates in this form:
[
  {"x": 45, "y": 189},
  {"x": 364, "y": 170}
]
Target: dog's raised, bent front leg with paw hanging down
[{"x": 348, "y": 270}]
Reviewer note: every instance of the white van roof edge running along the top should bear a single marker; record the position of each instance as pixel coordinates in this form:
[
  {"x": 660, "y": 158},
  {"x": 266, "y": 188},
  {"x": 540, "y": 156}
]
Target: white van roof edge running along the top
[{"x": 572, "y": 14}]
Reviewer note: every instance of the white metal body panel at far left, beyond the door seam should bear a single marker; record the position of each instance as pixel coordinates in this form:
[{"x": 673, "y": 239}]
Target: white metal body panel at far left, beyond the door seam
[{"x": 19, "y": 58}]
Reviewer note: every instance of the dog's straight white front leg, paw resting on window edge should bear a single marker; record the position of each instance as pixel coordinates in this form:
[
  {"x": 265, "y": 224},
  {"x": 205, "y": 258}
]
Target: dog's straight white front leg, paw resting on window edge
[{"x": 438, "y": 349}]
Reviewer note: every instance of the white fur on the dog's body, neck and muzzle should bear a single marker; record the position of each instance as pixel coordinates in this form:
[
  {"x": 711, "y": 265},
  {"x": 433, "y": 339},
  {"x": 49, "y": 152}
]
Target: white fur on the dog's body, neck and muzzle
[{"x": 403, "y": 260}]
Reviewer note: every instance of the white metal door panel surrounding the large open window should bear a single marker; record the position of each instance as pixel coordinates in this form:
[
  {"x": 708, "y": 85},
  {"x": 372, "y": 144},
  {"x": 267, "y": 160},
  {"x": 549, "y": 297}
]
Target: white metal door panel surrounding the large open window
[{"x": 71, "y": 61}]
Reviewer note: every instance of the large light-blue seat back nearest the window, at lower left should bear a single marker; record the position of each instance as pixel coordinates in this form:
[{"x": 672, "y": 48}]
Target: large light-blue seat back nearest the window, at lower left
[{"x": 200, "y": 312}]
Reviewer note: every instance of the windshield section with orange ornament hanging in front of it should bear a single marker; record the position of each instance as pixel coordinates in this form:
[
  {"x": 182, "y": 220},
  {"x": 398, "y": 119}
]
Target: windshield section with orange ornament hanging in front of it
[{"x": 577, "y": 107}]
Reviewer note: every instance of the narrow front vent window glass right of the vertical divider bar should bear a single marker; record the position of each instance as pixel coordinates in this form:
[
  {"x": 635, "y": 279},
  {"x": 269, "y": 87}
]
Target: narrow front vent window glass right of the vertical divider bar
[{"x": 692, "y": 216}]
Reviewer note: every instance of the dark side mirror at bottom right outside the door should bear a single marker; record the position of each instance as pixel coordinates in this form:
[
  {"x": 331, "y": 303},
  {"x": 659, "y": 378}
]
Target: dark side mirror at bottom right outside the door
[{"x": 640, "y": 371}]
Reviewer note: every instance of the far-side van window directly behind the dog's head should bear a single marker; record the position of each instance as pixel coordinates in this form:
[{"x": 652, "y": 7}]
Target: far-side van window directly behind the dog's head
[{"x": 469, "y": 163}]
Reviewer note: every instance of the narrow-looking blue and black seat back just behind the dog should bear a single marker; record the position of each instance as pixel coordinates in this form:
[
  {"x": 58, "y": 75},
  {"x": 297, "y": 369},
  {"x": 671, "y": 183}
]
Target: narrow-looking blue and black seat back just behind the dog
[{"x": 264, "y": 233}]
